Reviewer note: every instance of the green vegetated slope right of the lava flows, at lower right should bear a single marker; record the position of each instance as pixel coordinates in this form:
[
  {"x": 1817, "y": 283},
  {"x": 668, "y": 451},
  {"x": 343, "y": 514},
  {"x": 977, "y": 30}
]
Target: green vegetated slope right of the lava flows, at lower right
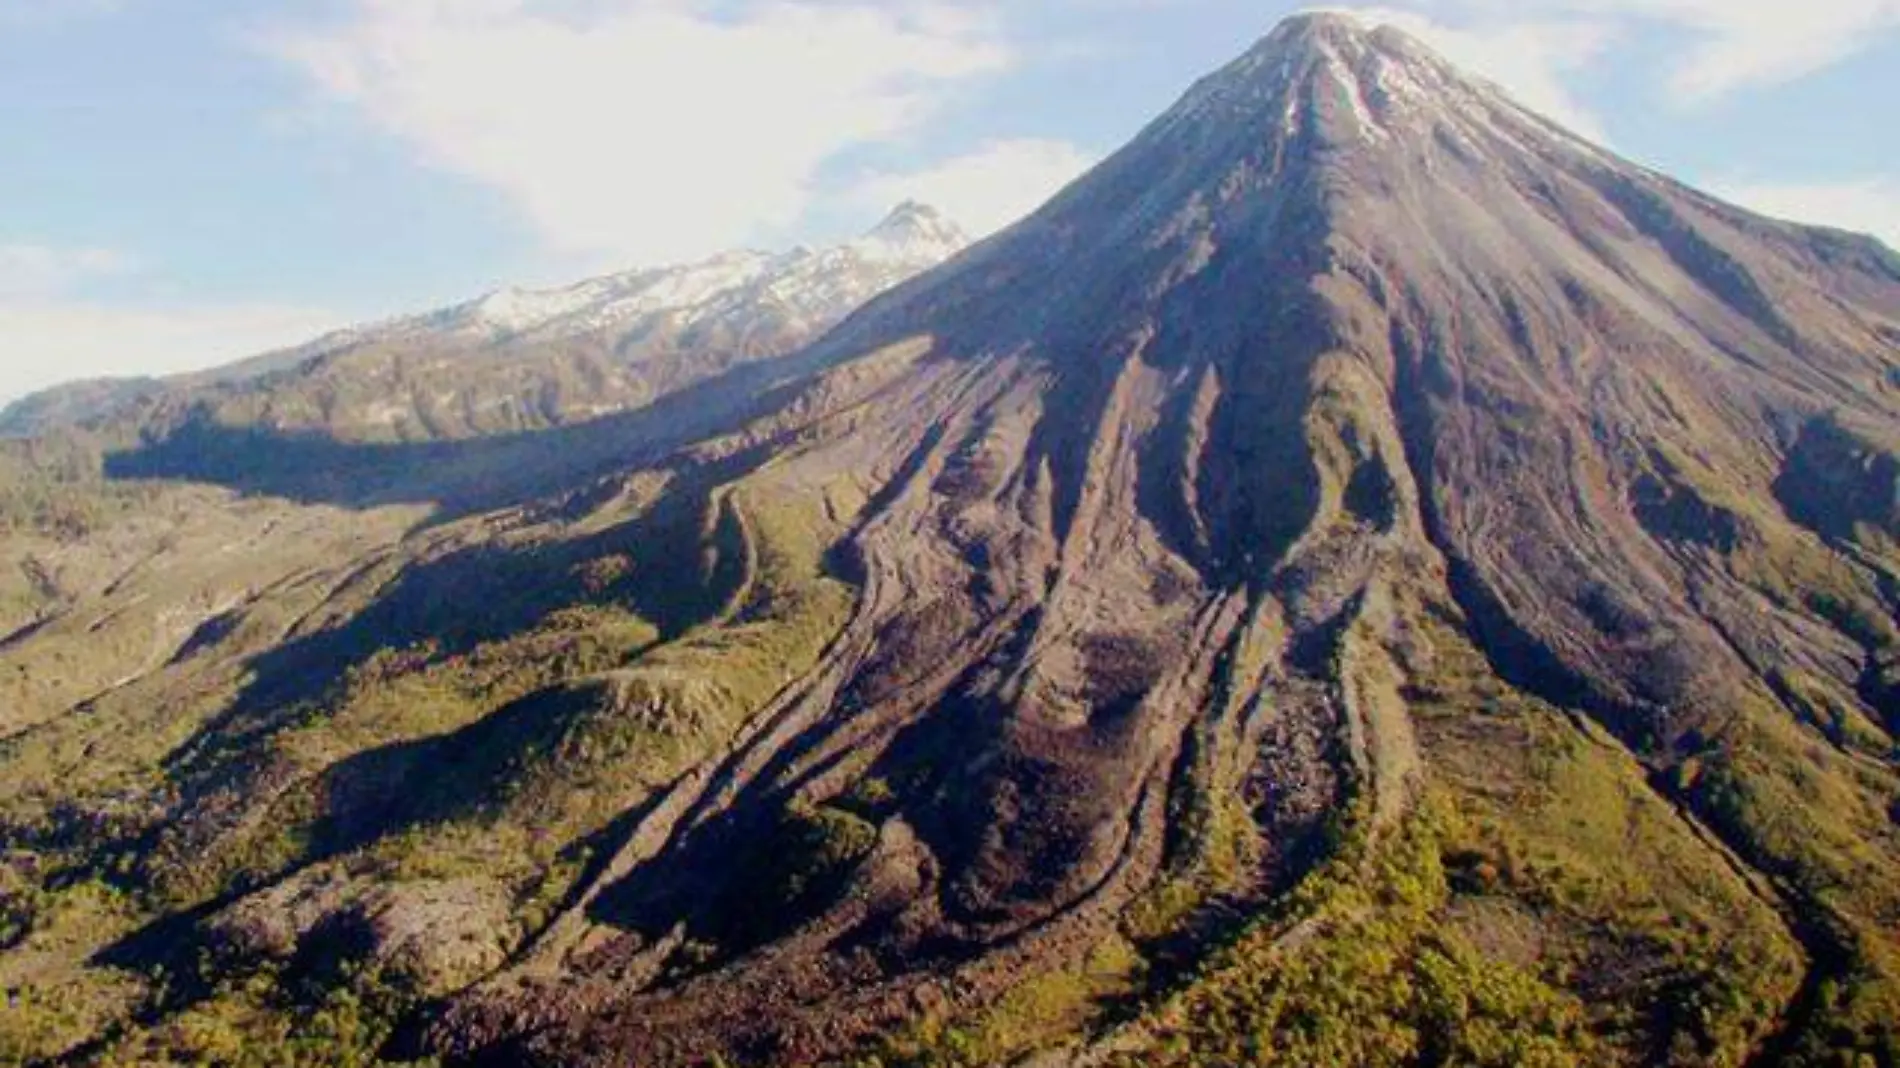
[{"x": 1542, "y": 906}]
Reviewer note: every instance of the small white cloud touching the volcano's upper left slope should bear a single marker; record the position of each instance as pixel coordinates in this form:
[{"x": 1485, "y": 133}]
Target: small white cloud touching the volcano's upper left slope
[{"x": 987, "y": 189}]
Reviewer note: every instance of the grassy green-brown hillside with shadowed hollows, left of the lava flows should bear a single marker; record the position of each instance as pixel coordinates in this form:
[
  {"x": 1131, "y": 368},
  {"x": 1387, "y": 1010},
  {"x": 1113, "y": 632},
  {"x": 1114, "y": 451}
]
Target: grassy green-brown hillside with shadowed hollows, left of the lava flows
[{"x": 626, "y": 710}]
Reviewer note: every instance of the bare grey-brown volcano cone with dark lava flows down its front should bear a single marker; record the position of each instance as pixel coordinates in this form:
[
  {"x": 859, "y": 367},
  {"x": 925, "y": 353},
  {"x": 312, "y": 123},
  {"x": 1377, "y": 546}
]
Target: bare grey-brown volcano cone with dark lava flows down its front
[{"x": 1202, "y": 508}]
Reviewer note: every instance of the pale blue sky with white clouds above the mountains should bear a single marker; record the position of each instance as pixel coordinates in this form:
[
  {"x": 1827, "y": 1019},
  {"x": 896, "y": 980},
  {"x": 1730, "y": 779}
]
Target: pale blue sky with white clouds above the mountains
[{"x": 191, "y": 181}]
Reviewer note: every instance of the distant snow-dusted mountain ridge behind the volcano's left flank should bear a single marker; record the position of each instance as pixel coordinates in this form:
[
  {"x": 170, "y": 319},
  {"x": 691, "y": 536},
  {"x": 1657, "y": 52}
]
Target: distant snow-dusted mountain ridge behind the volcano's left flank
[{"x": 525, "y": 360}]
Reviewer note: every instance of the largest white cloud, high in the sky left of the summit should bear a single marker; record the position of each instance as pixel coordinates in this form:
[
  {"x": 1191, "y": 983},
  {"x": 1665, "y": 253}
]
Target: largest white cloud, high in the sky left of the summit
[{"x": 645, "y": 130}]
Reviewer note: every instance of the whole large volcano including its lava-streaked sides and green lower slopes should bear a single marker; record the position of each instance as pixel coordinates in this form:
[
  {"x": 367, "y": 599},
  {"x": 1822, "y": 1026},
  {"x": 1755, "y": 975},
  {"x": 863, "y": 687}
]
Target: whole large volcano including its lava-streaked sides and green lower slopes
[{"x": 1361, "y": 579}]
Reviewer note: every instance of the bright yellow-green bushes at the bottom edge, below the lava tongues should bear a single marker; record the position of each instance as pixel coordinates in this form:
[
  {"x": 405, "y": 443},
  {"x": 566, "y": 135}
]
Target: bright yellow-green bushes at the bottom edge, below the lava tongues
[{"x": 1358, "y": 974}]
